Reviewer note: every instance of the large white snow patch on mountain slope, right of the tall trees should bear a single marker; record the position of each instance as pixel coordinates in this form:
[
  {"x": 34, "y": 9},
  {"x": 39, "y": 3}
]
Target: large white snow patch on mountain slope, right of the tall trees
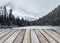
[{"x": 25, "y": 16}]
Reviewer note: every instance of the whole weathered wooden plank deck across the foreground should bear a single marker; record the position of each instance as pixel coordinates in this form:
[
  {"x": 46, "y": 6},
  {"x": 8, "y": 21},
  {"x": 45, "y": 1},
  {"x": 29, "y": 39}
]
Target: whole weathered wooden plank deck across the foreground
[{"x": 29, "y": 35}]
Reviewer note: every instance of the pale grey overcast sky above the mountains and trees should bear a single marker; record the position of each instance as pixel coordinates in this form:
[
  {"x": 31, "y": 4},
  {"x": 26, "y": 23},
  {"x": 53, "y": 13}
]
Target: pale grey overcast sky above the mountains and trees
[{"x": 33, "y": 8}]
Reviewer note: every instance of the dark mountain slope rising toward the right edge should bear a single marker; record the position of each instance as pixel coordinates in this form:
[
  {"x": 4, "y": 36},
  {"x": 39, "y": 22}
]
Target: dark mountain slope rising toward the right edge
[{"x": 52, "y": 18}]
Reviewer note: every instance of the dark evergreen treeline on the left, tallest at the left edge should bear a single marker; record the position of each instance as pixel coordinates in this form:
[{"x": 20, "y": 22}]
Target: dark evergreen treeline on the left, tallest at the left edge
[{"x": 7, "y": 18}]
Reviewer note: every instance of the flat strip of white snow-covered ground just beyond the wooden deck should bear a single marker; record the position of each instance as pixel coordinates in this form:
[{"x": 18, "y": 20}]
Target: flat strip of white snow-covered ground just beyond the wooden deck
[{"x": 38, "y": 27}]
